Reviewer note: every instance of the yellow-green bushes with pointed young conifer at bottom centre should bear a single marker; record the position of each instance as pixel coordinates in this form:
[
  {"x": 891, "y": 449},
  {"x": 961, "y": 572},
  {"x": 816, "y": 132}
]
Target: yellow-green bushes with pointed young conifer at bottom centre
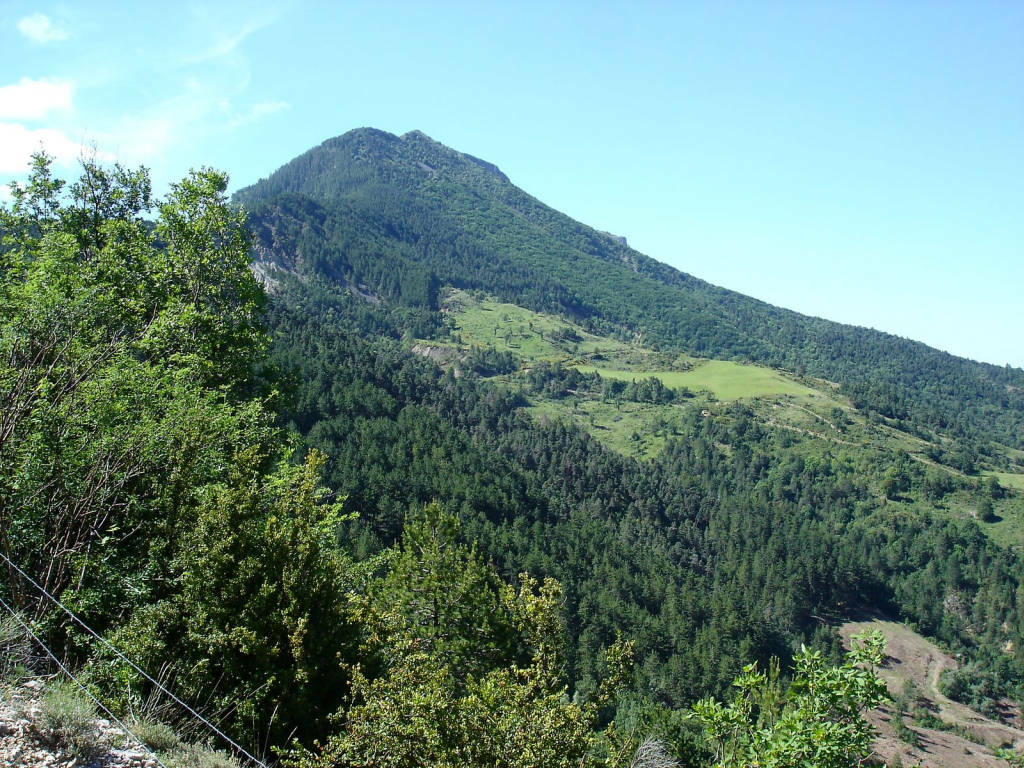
[{"x": 449, "y": 695}]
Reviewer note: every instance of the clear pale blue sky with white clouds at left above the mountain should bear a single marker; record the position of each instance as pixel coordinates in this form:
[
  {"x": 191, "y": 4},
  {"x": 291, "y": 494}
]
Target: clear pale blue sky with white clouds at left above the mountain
[{"x": 863, "y": 162}]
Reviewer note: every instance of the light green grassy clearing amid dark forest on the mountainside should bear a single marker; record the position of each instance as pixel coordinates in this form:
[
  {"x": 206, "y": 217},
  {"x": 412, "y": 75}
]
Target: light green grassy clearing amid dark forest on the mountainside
[{"x": 807, "y": 409}]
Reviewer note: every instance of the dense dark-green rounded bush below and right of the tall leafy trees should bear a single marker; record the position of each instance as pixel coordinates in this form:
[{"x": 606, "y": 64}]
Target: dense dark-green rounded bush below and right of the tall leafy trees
[{"x": 261, "y": 622}]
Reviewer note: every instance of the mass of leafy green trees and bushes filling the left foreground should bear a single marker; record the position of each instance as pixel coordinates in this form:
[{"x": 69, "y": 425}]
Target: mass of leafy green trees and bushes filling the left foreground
[{"x": 142, "y": 477}]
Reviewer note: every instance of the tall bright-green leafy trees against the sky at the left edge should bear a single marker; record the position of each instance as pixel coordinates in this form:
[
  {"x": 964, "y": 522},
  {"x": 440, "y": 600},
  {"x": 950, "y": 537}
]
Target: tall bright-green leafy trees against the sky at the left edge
[{"x": 117, "y": 359}]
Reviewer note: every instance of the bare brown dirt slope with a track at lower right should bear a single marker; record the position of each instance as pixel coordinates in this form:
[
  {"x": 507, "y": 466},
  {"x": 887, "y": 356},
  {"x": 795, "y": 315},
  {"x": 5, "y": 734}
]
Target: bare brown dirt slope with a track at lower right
[{"x": 911, "y": 657}]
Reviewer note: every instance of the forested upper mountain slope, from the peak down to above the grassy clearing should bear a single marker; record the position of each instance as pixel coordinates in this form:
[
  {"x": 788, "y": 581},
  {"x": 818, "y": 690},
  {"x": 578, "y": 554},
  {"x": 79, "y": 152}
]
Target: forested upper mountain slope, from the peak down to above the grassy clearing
[{"x": 403, "y": 217}]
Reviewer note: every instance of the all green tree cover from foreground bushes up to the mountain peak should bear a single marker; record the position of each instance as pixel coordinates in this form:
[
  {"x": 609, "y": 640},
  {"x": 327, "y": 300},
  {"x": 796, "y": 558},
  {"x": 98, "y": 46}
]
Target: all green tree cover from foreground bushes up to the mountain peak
[{"x": 353, "y": 556}]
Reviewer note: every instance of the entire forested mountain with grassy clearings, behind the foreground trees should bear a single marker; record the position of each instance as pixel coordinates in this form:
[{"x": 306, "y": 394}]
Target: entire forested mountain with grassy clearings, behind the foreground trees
[{"x": 595, "y": 416}]
